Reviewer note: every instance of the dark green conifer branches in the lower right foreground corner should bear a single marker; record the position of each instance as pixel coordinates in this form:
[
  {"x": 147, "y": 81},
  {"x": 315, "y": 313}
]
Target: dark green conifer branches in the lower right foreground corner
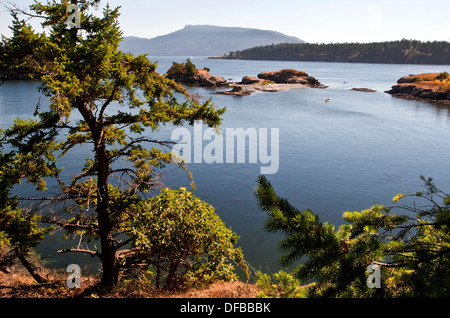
[{"x": 412, "y": 248}]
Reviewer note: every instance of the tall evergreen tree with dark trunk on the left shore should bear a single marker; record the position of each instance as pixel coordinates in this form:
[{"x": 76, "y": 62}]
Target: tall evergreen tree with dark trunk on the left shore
[{"x": 85, "y": 73}]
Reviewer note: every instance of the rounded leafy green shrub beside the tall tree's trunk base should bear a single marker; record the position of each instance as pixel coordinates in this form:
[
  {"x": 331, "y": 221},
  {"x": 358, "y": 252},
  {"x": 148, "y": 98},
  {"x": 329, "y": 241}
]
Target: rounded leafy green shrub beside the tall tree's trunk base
[{"x": 184, "y": 242}]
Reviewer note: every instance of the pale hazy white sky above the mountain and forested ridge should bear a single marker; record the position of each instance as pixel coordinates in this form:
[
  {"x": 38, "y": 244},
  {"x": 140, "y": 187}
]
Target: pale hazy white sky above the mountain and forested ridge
[{"x": 321, "y": 21}]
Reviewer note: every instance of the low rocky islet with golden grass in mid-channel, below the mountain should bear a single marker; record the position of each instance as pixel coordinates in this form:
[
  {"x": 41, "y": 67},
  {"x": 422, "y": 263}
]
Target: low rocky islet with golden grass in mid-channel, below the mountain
[{"x": 272, "y": 81}]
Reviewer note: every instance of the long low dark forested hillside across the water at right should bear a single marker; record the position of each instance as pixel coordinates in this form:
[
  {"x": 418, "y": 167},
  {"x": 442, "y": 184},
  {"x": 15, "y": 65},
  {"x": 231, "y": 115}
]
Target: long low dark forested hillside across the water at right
[{"x": 397, "y": 52}]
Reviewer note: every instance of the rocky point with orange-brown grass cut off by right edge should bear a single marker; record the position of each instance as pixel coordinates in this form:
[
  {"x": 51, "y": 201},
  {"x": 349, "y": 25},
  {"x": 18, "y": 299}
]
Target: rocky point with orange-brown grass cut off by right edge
[{"x": 428, "y": 87}]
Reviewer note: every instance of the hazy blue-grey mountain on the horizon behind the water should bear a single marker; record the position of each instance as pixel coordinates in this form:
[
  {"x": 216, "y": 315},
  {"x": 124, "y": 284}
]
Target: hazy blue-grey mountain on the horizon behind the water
[{"x": 204, "y": 40}]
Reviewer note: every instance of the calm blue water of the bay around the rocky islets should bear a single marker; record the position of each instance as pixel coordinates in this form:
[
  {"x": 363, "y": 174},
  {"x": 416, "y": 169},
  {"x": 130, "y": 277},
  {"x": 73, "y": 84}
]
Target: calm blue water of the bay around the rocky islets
[{"x": 349, "y": 154}]
